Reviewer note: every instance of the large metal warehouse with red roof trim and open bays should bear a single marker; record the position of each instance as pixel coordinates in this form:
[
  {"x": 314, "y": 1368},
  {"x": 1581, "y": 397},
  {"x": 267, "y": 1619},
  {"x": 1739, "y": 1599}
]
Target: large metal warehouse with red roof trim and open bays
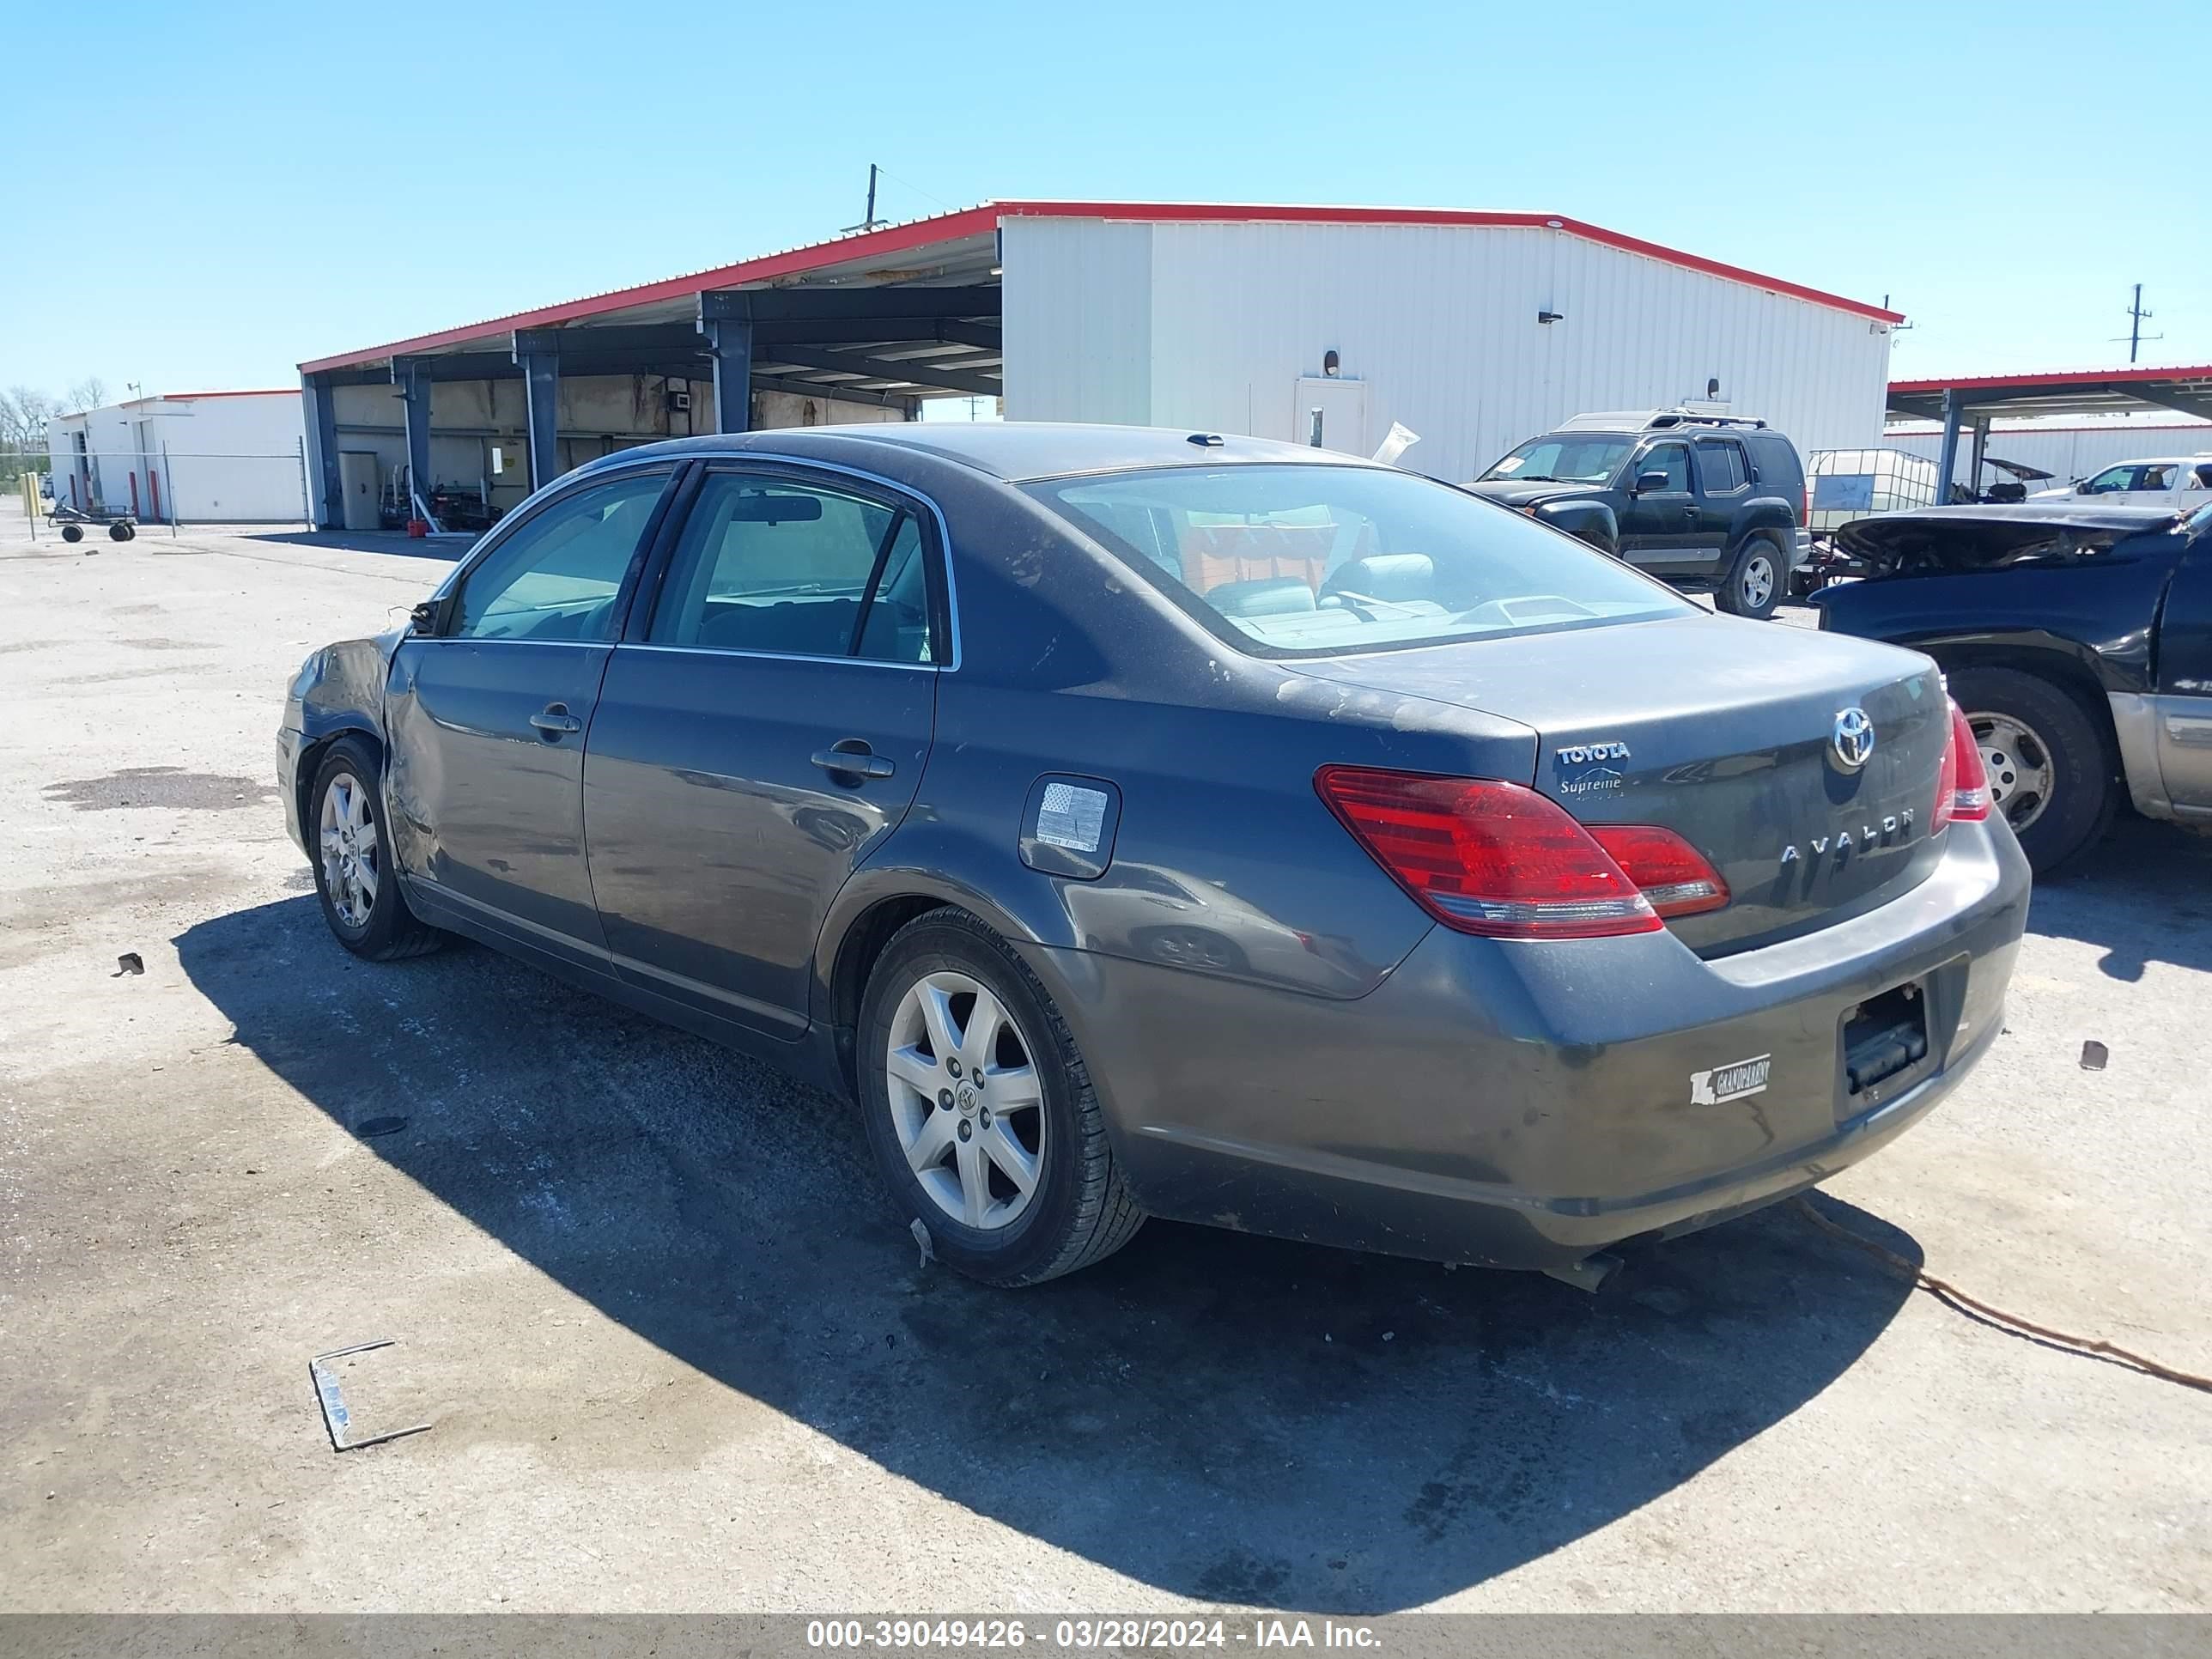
[{"x": 1470, "y": 328}]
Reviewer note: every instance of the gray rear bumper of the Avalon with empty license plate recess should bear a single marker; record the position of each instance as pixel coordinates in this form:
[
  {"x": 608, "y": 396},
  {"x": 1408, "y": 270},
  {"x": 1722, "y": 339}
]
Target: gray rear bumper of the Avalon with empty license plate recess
[{"x": 1527, "y": 1105}]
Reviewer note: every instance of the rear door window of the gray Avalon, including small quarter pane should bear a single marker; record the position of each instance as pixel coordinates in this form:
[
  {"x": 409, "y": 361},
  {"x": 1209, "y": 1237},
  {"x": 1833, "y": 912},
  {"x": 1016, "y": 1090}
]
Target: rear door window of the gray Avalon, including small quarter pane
[{"x": 800, "y": 572}]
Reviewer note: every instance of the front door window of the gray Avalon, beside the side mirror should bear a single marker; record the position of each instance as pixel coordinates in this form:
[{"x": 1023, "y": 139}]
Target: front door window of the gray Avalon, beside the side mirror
[{"x": 559, "y": 576}]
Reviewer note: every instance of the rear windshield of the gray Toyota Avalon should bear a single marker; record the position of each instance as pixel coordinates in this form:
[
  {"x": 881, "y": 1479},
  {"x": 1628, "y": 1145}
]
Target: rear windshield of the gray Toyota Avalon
[{"x": 1317, "y": 561}]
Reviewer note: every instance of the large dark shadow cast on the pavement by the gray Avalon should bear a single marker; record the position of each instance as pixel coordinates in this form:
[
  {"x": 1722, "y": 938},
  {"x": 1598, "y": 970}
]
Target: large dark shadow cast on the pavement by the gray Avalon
[{"x": 1220, "y": 1417}]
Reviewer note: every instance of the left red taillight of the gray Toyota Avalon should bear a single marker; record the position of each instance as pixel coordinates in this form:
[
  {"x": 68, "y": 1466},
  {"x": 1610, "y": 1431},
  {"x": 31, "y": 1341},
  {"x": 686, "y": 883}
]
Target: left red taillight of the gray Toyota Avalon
[{"x": 1494, "y": 859}]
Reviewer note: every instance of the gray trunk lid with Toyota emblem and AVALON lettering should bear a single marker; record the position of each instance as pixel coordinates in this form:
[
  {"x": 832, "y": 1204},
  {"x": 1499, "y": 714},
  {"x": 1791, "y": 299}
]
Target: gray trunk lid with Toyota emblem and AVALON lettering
[{"x": 1724, "y": 733}]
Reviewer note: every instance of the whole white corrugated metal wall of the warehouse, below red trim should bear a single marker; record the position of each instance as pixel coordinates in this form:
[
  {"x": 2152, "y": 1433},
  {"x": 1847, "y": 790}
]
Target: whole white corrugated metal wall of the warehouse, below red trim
[{"x": 1441, "y": 322}]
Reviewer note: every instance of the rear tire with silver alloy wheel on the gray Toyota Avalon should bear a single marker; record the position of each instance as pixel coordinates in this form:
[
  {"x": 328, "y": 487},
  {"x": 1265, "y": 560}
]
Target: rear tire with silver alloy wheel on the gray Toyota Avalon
[{"x": 939, "y": 1142}]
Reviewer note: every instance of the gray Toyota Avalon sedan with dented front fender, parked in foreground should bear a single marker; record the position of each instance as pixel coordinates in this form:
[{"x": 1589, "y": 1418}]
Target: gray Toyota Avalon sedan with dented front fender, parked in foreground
[{"x": 1165, "y": 824}]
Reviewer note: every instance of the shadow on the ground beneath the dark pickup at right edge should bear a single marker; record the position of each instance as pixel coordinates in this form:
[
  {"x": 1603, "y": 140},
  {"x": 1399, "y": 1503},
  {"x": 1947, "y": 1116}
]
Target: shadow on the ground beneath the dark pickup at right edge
[{"x": 2142, "y": 895}]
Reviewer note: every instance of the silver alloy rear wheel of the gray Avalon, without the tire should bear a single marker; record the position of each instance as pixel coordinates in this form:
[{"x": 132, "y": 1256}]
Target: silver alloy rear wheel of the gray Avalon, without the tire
[{"x": 966, "y": 1100}]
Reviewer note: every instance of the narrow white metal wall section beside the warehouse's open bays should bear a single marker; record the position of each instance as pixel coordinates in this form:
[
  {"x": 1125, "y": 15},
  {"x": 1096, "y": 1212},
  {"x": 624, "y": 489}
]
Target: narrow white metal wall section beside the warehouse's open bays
[{"x": 1078, "y": 320}]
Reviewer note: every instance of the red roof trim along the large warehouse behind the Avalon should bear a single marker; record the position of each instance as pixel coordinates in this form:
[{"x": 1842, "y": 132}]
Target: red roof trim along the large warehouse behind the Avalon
[{"x": 970, "y": 222}]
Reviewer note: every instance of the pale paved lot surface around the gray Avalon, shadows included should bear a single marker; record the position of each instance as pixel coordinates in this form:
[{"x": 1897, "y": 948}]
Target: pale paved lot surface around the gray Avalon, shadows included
[{"x": 678, "y": 1355}]
